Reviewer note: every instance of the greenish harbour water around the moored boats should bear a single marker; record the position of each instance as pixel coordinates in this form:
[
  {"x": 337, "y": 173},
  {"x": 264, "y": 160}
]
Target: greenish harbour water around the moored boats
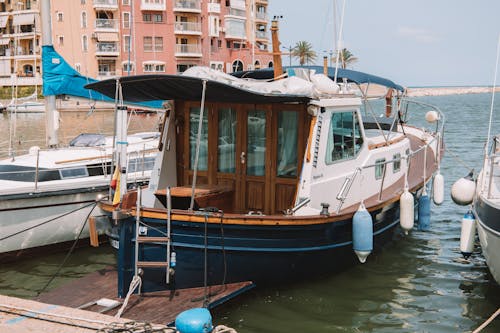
[{"x": 418, "y": 284}]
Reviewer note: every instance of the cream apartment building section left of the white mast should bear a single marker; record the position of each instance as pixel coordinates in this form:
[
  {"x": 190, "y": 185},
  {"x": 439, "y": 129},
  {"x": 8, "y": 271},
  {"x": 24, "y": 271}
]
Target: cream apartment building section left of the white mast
[{"x": 20, "y": 40}]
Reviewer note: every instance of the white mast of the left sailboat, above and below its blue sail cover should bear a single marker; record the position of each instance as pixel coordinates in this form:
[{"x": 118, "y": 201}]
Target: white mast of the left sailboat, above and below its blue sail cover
[{"x": 51, "y": 116}]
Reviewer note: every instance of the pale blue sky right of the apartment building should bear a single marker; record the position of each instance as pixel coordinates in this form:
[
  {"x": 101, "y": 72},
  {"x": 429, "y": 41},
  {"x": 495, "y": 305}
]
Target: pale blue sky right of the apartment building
[{"x": 412, "y": 42}]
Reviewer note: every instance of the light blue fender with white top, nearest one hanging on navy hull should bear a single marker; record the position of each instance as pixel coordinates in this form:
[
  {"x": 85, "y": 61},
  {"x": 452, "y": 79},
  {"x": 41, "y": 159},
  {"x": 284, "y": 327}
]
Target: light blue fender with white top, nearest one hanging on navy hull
[{"x": 362, "y": 233}]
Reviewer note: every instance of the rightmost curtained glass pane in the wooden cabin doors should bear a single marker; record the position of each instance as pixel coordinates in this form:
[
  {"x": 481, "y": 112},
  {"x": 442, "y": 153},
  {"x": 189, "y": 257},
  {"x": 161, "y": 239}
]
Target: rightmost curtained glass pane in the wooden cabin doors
[{"x": 287, "y": 144}]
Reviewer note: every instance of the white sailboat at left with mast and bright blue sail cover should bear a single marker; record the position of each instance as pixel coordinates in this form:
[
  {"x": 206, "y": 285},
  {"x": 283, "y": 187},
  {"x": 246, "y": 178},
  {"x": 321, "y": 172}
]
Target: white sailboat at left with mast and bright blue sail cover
[{"x": 47, "y": 196}]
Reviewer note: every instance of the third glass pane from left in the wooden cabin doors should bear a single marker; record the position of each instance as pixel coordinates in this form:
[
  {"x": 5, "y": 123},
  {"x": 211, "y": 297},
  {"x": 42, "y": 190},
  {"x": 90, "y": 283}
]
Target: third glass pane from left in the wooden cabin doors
[{"x": 256, "y": 143}]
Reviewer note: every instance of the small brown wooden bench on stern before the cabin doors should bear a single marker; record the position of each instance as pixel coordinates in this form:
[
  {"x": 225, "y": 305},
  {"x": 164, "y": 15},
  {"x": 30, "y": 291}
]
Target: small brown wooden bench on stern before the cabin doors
[{"x": 220, "y": 196}]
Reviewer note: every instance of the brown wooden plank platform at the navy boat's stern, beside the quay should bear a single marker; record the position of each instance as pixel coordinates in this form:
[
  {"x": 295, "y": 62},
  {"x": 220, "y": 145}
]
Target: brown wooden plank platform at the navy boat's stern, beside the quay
[{"x": 157, "y": 307}]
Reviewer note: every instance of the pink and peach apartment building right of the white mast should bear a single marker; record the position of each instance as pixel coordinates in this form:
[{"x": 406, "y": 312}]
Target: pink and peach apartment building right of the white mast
[{"x": 108, "y": 38}]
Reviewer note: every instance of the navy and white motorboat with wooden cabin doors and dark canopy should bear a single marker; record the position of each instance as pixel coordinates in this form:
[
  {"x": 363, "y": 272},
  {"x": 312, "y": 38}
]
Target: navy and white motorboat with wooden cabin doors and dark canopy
[{"x": 271, "y": 181}]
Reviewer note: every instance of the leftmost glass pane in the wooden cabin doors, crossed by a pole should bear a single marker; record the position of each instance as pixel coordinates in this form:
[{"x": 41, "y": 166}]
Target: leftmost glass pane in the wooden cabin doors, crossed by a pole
[{"x": 194, "y": 117}]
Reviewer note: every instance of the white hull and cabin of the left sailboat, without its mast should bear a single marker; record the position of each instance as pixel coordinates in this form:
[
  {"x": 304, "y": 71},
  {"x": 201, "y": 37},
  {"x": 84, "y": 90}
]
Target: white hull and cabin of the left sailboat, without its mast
[{"x": 48, "y": 195}]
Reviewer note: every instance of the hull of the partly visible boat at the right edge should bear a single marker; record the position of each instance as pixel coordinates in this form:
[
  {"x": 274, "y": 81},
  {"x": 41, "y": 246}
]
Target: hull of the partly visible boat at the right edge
[{"x": 488, "y": 222}]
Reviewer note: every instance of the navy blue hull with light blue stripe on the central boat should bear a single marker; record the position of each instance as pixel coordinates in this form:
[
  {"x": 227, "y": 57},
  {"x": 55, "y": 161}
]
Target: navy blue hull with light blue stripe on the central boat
[{"x": 262, "y": 254}]
